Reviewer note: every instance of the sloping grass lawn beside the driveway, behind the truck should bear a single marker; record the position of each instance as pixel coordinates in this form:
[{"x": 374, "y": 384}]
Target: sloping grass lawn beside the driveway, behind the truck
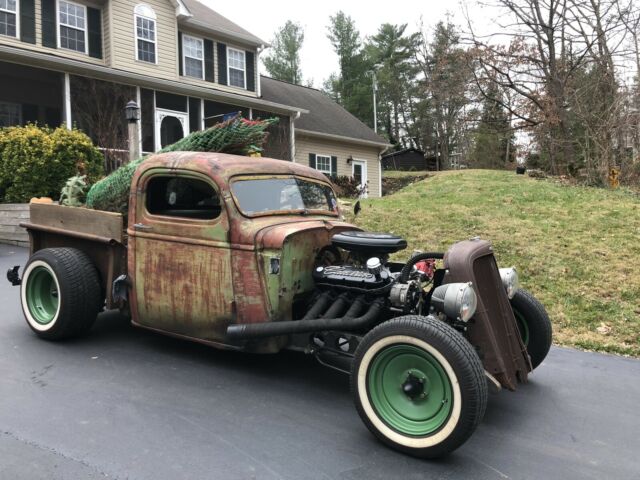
[{"x": 576, "y": 248}]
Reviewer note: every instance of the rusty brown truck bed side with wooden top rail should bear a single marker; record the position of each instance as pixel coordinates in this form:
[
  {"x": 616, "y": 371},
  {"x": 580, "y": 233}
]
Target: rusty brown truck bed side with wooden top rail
[{"x": 98, "y": 233}]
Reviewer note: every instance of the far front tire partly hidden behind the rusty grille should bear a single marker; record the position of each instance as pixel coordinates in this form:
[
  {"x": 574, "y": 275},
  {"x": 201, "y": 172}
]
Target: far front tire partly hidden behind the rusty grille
[{"x": 534, "y": 325}]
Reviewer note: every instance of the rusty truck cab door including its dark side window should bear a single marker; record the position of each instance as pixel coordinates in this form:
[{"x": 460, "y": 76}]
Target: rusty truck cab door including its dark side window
[{"x": 181, "y": 258}]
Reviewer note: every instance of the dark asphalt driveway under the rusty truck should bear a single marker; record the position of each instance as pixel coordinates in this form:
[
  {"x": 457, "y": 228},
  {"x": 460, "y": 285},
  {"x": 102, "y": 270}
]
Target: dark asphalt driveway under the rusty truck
[{"x": 128, "y": 404}]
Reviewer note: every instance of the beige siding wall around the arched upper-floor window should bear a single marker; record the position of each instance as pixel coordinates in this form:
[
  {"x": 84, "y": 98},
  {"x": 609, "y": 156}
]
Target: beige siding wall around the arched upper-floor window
[{"x": 123, "y": 43}]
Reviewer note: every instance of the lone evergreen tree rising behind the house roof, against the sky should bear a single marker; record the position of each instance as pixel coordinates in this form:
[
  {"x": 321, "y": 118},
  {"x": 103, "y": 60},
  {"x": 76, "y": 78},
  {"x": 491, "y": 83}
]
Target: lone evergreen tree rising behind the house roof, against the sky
[{"x": 283, "y": 62}]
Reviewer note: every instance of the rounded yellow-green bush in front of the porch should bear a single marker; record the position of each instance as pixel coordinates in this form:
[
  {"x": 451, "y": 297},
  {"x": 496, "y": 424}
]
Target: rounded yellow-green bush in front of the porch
[{"x": 37, "y": 161}]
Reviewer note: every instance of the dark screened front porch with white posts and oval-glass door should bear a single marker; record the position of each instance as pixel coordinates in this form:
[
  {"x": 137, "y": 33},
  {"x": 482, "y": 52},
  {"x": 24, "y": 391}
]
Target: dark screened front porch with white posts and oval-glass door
[{"x": 36, "y": 95}]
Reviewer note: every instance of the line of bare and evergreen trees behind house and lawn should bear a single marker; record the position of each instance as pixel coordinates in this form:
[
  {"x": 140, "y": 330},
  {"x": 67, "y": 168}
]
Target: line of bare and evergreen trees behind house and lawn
[{"x": 554, "y": 75}]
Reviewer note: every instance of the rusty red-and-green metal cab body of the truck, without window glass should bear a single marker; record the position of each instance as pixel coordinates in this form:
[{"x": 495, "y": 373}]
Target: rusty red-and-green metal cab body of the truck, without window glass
[{"x": 194, "y": 278}]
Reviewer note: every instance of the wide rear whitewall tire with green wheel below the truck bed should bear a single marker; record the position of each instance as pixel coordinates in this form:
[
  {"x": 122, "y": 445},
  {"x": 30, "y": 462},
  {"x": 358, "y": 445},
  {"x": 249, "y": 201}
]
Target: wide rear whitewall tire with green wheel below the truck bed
[{"x": 60, "y": 293}]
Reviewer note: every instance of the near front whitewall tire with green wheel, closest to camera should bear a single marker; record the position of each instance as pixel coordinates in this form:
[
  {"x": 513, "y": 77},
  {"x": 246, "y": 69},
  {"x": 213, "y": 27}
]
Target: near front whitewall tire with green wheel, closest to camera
[{"x": 418, "y": 386}]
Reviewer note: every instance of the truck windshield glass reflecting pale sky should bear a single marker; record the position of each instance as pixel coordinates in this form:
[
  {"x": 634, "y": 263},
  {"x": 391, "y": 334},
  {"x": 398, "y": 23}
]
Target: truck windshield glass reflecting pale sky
[{"x": 282, "y": 195}]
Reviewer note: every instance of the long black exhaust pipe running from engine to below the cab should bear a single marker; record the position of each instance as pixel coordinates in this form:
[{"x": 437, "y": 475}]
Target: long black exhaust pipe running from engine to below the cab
[{"x": 273, "y": 329}]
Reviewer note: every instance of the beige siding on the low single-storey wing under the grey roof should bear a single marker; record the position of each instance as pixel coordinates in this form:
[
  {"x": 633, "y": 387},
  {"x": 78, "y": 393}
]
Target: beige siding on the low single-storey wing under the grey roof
[{"x": 306, "y": 144}]
